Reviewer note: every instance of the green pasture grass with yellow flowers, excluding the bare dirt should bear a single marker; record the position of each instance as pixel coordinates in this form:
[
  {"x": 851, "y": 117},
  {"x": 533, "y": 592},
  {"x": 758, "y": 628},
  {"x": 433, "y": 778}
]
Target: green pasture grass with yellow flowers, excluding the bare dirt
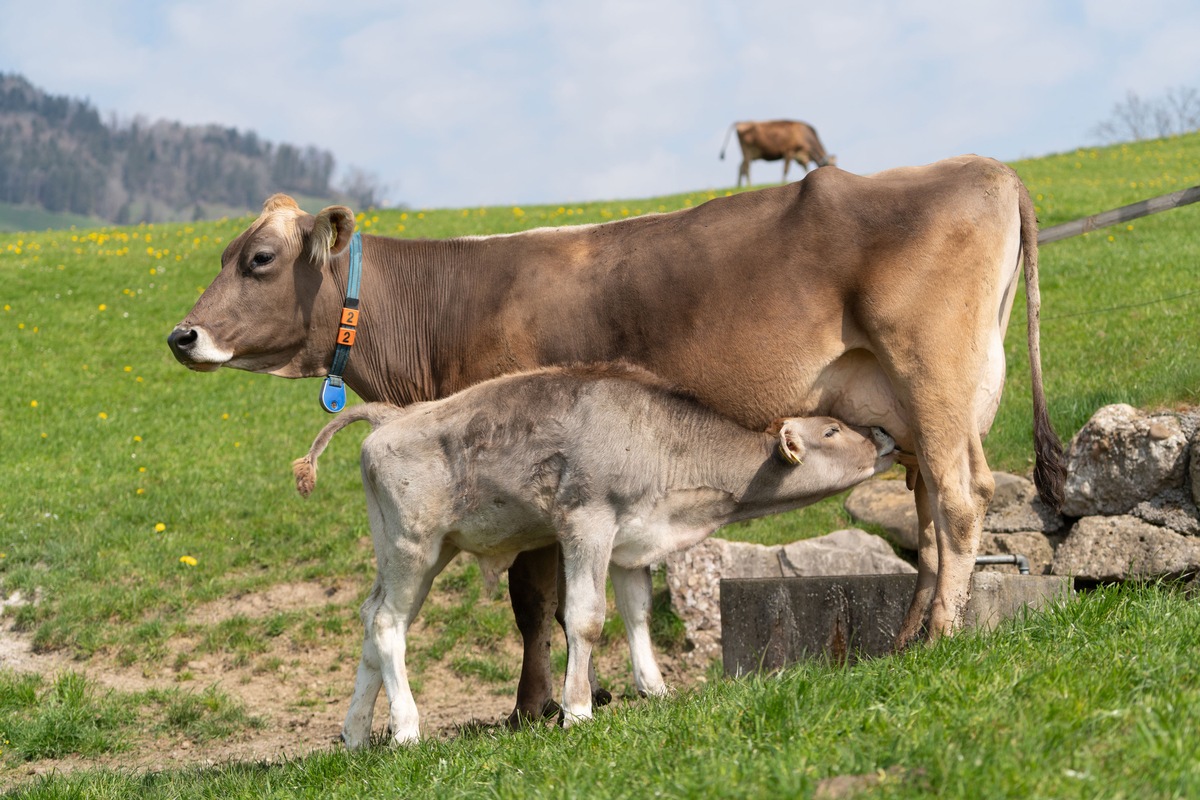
[{"x": 136, "y": 491}]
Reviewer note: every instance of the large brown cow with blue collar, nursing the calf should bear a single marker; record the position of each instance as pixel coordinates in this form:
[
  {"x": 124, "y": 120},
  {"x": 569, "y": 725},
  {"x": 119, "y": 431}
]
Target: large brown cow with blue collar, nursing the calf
[{"x": 880, "y": 300}]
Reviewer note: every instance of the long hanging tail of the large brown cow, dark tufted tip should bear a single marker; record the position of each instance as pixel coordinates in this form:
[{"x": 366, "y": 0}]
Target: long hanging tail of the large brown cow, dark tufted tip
[{"x": 1049, "y": 468}]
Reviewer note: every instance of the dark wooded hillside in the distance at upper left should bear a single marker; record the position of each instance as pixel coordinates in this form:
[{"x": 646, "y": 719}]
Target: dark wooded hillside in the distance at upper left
[{"x": 57, "y": 153}]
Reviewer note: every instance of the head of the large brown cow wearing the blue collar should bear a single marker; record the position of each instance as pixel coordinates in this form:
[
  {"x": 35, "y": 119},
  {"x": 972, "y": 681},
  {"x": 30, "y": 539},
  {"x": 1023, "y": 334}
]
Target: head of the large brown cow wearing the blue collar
[{"x": 267, "y": 310}]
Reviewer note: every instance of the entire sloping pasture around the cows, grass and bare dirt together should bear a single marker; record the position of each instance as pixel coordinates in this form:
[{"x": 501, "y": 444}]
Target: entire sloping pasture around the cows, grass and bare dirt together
[{"x": 178, "y": 603}]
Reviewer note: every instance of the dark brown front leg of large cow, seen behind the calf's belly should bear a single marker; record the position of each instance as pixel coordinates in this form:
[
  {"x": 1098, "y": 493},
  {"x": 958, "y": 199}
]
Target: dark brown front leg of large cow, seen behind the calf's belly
[{"x": 533, "y": 592}]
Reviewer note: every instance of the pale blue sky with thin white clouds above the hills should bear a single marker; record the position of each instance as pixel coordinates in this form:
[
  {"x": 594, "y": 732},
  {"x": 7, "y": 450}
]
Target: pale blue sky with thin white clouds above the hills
[{"x": 463, "y": 104}]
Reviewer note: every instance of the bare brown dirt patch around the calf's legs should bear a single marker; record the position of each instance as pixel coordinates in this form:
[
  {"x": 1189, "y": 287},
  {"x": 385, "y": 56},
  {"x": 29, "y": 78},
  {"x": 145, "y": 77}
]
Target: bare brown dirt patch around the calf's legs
[{"x": 301, "y": 696}]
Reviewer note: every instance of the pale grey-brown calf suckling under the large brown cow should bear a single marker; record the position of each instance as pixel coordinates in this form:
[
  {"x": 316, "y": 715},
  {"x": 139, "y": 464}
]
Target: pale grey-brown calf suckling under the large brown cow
[{"x": 607, "y": 461}]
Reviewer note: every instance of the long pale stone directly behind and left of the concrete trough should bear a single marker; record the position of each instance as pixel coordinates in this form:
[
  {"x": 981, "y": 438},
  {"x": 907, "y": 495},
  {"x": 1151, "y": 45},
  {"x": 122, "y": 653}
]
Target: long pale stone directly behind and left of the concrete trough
[{"x": 694, "y": 575}]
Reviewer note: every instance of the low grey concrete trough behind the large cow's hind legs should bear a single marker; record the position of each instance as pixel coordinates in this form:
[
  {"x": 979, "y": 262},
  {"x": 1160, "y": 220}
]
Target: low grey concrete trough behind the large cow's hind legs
[{"x": 771, "y": 623}]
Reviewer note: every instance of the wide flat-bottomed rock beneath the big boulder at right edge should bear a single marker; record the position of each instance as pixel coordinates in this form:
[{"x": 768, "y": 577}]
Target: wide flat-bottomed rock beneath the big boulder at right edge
[{"x": 1124, "y": 548}]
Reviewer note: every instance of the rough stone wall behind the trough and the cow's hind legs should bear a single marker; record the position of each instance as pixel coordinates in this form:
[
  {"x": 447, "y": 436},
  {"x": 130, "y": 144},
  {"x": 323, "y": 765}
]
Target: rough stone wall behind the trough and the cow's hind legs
[{"x": 1130, "y": 513}]
